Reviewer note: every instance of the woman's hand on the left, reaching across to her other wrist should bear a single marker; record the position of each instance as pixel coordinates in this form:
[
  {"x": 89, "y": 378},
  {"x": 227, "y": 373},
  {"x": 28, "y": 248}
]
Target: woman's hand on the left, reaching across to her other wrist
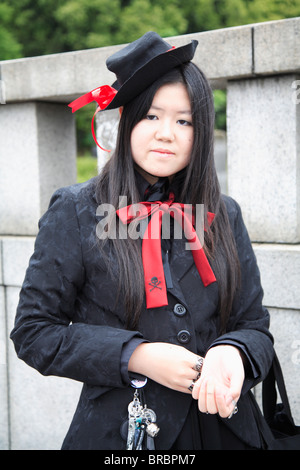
[{"x": 165, "y": 363}]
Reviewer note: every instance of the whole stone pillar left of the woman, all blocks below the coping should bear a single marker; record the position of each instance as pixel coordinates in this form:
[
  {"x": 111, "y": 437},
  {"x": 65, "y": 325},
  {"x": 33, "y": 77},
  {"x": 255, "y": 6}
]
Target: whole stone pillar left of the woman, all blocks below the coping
[{"x": 37, "y": 156}]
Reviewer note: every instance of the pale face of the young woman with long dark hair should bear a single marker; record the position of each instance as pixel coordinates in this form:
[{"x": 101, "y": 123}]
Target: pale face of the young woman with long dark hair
[{"x": 161, "y": 143}]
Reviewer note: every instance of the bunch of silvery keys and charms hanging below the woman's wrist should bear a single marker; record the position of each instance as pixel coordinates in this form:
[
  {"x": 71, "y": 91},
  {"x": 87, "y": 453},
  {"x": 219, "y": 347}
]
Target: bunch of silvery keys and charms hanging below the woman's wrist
[{"x": 141, "y": 424}]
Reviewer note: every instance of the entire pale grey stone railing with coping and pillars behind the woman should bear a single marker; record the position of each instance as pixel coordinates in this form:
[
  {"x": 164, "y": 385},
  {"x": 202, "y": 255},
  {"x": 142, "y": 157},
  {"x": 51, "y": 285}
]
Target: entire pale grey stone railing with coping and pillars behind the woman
[{"x": 259, "y": 65}]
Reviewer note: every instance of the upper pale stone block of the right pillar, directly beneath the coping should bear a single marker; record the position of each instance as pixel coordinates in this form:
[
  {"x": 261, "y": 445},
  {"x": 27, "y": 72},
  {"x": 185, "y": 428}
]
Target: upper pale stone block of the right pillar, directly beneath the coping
[{"x": 263, "y": 128}]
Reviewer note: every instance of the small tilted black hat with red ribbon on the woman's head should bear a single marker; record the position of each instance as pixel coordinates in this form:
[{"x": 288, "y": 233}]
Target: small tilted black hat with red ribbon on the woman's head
[{"x": 136, "y": 67}]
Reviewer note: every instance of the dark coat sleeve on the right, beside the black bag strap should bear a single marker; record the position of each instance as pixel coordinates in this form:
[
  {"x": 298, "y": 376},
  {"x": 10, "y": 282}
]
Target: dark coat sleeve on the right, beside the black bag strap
[{"x": 248, "y": 325}]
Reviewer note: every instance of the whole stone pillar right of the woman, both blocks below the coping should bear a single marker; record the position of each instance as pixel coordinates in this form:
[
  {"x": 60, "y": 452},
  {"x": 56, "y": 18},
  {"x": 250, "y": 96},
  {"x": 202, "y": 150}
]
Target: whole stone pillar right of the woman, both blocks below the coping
[{"x": 263, "y": 137}]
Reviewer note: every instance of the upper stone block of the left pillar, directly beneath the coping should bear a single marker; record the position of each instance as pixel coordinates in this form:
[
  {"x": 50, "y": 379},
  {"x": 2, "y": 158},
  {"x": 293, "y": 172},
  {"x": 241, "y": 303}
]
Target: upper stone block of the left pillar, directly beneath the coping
[{"x": 37, "y": 155}]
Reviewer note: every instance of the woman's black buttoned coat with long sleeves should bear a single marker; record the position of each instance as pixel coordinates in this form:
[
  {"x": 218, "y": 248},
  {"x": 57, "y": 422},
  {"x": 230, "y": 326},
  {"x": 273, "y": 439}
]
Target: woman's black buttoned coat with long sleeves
[{"x": 68, "y": 324}]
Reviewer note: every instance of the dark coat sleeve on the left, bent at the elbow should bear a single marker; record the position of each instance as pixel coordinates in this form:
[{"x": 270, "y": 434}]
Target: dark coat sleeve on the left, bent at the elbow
[{"x": 44, "y": 335}]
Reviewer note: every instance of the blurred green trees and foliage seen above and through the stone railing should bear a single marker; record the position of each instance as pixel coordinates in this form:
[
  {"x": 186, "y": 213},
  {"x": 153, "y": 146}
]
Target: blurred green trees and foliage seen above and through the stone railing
[{"x": 36, "y": 27}]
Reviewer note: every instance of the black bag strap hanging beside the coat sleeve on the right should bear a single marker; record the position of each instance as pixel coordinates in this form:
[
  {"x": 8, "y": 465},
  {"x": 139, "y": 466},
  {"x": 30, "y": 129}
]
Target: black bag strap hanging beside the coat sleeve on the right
[{"x": 269, "y": 393}]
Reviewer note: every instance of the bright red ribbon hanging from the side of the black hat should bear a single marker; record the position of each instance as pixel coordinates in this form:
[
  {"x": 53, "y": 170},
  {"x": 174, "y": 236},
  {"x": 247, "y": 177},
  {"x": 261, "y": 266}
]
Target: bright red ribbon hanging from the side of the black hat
[{"x": 103, "y": 95}]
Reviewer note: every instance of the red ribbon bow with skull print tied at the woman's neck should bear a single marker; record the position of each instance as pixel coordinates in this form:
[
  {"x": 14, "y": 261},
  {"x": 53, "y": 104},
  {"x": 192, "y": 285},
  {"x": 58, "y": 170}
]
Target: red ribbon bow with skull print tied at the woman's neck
[{"x": 155, "y": 284}]
